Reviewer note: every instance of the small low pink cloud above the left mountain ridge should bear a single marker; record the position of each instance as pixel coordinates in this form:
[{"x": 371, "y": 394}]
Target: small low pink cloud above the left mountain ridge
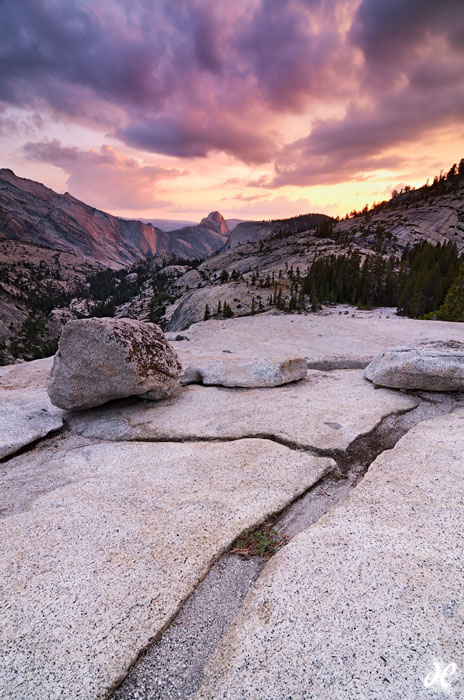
[{"x": 120, "y": 182}]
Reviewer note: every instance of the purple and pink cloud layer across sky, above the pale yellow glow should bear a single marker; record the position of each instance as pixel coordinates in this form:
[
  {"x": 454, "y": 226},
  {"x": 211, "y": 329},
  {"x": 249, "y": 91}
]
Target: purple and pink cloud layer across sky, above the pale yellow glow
[{"x": 194, "y": 77}]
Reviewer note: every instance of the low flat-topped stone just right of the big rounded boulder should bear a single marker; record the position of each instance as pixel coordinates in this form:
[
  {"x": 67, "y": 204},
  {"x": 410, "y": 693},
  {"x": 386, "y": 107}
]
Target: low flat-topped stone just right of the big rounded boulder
[{"x": 245, "y": 372}]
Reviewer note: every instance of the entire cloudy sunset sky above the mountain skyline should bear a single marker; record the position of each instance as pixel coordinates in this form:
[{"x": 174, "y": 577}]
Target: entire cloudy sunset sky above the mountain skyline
[{"x": 256, "y": 108}]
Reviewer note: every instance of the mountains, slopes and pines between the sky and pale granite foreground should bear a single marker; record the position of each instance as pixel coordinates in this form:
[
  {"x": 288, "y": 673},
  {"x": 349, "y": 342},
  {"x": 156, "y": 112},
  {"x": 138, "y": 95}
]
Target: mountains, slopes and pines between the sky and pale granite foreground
[{"x": 60, "y": 259}]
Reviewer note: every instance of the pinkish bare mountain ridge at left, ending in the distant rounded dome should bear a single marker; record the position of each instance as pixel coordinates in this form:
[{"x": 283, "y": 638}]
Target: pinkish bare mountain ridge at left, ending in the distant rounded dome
[{"x": 34, "y": 214}]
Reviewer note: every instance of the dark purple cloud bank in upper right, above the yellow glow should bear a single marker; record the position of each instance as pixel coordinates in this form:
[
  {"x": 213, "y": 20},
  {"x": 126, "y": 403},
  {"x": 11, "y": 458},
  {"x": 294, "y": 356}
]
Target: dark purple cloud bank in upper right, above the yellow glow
[{"x": 411, "y": 82}]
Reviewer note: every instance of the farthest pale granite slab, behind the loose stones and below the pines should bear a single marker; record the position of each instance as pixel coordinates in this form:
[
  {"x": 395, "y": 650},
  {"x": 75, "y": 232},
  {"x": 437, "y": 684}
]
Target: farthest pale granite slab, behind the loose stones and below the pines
[{"x": 343, "y": 339}]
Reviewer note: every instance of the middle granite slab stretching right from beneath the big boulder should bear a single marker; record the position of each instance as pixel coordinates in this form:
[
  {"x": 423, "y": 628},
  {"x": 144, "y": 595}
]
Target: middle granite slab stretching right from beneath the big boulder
[{"x": 325, "y": 411}]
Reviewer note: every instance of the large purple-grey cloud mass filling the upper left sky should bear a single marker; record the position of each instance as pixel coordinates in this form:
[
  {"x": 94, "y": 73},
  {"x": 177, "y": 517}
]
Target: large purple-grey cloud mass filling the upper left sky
[{"x": 183, "y": 78}]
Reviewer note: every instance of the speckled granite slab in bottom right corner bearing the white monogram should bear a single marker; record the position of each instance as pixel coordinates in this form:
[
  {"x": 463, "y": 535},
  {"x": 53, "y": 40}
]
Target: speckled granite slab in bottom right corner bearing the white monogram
[{"x": 367, "y": 600}]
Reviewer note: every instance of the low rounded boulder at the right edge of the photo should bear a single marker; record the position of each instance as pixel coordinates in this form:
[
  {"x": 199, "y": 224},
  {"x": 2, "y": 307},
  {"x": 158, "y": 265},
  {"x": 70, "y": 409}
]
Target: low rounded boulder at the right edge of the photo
[{"x": 430, "y": 366}]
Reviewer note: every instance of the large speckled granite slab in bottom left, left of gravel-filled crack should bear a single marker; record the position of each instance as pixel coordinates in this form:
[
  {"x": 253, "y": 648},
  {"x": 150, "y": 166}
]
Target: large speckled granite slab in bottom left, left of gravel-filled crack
[{"x": 92, "y": 570}]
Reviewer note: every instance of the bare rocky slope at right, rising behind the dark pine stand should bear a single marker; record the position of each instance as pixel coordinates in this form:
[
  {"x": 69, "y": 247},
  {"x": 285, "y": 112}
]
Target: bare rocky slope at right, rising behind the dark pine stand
[{"x": 264, "y": 258}]
